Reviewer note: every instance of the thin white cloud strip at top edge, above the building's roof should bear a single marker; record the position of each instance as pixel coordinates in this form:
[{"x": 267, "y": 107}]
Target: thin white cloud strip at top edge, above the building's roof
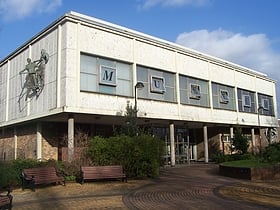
[{"x": 172, "y": 3}]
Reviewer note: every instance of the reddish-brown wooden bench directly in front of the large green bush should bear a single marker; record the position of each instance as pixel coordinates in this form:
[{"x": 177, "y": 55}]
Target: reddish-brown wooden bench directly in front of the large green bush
[{"x": 102, "y": 172}]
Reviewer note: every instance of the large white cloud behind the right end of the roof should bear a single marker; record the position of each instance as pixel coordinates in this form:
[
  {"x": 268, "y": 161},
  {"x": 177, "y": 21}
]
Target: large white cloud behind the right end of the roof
[{"x": 253, "y": 51}]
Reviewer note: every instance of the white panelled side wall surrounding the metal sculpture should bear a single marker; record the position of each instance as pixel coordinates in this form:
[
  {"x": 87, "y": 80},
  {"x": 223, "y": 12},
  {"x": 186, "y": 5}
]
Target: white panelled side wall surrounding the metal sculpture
[{"x": 15, "y": 108}]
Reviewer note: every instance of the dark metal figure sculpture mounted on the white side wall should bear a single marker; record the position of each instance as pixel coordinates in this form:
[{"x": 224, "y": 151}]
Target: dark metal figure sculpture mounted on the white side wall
[{"x": 34, "y": 72}]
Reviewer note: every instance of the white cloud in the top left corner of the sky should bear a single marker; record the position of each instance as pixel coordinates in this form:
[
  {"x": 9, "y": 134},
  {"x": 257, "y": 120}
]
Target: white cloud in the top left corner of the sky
[{"x": 18, "y": 9}]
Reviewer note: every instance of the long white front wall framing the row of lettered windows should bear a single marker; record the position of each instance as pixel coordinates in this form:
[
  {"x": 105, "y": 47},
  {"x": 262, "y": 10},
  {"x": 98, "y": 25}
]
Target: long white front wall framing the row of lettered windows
[{"x": 122, "y": 47}]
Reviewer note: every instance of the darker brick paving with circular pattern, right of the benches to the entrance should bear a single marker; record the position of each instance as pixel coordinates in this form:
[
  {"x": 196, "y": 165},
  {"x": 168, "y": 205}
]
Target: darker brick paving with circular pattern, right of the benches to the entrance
[{"x": 199, "y": 186}]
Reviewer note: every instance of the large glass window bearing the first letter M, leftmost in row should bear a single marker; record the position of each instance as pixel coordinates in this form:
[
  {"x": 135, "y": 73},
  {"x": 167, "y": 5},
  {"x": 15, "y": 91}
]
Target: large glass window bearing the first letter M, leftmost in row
[{"x": 105, "y": 76}]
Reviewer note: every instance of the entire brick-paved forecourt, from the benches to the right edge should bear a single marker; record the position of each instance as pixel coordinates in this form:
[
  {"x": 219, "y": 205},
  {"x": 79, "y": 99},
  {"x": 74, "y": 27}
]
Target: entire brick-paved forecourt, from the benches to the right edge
[{"x": 195, "y": 186}]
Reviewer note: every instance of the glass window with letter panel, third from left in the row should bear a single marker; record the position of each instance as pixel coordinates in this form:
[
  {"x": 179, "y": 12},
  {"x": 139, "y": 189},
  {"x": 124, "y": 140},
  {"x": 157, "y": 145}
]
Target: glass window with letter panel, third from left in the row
[{"x": 194, "y": 91}]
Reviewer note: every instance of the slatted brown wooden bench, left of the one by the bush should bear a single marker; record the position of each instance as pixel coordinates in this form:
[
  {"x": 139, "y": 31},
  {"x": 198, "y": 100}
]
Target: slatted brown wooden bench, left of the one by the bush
[{"x": 43, "y": 175}]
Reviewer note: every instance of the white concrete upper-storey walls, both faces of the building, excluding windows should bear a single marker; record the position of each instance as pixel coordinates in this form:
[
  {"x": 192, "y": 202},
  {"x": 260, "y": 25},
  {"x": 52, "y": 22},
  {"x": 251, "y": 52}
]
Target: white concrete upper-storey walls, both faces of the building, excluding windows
[{"x": 64, "y": 43}]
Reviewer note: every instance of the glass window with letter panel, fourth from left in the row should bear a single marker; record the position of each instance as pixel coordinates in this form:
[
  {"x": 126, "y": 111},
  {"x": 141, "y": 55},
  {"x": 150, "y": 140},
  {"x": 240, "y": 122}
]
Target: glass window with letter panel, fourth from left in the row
[{"x": 223, "y": 97}]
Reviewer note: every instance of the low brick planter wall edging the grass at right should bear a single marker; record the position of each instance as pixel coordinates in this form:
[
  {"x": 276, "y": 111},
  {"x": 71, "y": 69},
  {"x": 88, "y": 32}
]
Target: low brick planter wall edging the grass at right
[{"x": 257, "y": 173}]
